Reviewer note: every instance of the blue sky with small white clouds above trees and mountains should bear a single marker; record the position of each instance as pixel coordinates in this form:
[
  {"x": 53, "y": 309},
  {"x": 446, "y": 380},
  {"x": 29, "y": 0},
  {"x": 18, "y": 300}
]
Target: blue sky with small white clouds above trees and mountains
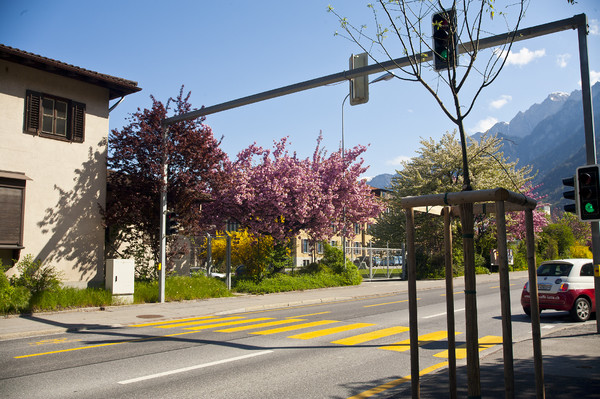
[{"x": 227, "y": 49}]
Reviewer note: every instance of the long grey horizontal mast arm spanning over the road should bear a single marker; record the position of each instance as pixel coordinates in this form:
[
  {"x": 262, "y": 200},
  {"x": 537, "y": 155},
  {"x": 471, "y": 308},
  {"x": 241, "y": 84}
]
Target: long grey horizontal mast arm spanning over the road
[{"x": 498, "y": 40}]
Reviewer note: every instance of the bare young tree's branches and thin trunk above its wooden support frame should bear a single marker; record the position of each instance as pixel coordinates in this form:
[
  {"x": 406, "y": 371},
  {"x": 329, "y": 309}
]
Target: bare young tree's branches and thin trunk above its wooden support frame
[{"x": 409, "y": 27}]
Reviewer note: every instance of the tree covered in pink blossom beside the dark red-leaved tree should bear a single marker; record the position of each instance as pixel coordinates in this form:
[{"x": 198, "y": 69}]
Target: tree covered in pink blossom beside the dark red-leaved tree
[{"x": 278, "y": 194}]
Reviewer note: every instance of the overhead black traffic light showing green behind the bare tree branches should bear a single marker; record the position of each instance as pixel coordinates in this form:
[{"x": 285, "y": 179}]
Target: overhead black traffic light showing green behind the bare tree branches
[{"x": 445, "y": 40}]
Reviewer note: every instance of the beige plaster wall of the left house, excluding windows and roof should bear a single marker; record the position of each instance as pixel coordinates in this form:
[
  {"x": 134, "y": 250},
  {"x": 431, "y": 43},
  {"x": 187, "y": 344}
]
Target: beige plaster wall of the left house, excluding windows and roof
[{"x": 62, "y": 222}]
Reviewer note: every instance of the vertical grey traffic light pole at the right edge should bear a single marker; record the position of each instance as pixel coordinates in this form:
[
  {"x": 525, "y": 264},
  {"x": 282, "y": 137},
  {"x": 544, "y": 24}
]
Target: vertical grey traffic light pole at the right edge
[{"x": 590, "y": 143}]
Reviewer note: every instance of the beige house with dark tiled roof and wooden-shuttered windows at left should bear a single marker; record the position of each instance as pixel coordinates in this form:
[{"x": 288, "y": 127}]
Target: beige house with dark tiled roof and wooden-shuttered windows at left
[{"x": 53, "y": 148}]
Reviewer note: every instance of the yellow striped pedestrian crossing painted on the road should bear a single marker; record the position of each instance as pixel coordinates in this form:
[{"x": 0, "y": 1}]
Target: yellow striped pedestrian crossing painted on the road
[{"x": 363, "y": 332}]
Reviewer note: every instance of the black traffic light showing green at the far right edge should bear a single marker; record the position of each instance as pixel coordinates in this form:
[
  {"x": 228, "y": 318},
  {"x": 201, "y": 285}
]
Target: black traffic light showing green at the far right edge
[{"x": 588, "y": 192}]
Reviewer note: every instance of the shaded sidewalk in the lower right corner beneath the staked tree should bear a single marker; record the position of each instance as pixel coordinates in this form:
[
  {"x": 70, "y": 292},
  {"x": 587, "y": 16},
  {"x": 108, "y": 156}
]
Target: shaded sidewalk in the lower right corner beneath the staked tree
[{"x": 571, "y": 361}]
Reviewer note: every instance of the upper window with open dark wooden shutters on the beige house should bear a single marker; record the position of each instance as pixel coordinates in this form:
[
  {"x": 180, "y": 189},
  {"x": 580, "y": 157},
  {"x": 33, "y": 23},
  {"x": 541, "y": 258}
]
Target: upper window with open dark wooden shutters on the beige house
[{"x": 54, "y": 117}]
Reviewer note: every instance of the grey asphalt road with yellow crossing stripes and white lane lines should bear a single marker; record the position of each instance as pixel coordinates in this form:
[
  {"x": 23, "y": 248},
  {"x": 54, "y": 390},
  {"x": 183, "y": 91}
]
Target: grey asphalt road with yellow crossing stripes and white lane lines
[{"x": 330, "y": 350}]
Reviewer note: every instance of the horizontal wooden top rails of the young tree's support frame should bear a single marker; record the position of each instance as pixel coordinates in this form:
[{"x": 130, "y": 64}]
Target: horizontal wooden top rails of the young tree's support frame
[{"x": 462, "y": 197}]
